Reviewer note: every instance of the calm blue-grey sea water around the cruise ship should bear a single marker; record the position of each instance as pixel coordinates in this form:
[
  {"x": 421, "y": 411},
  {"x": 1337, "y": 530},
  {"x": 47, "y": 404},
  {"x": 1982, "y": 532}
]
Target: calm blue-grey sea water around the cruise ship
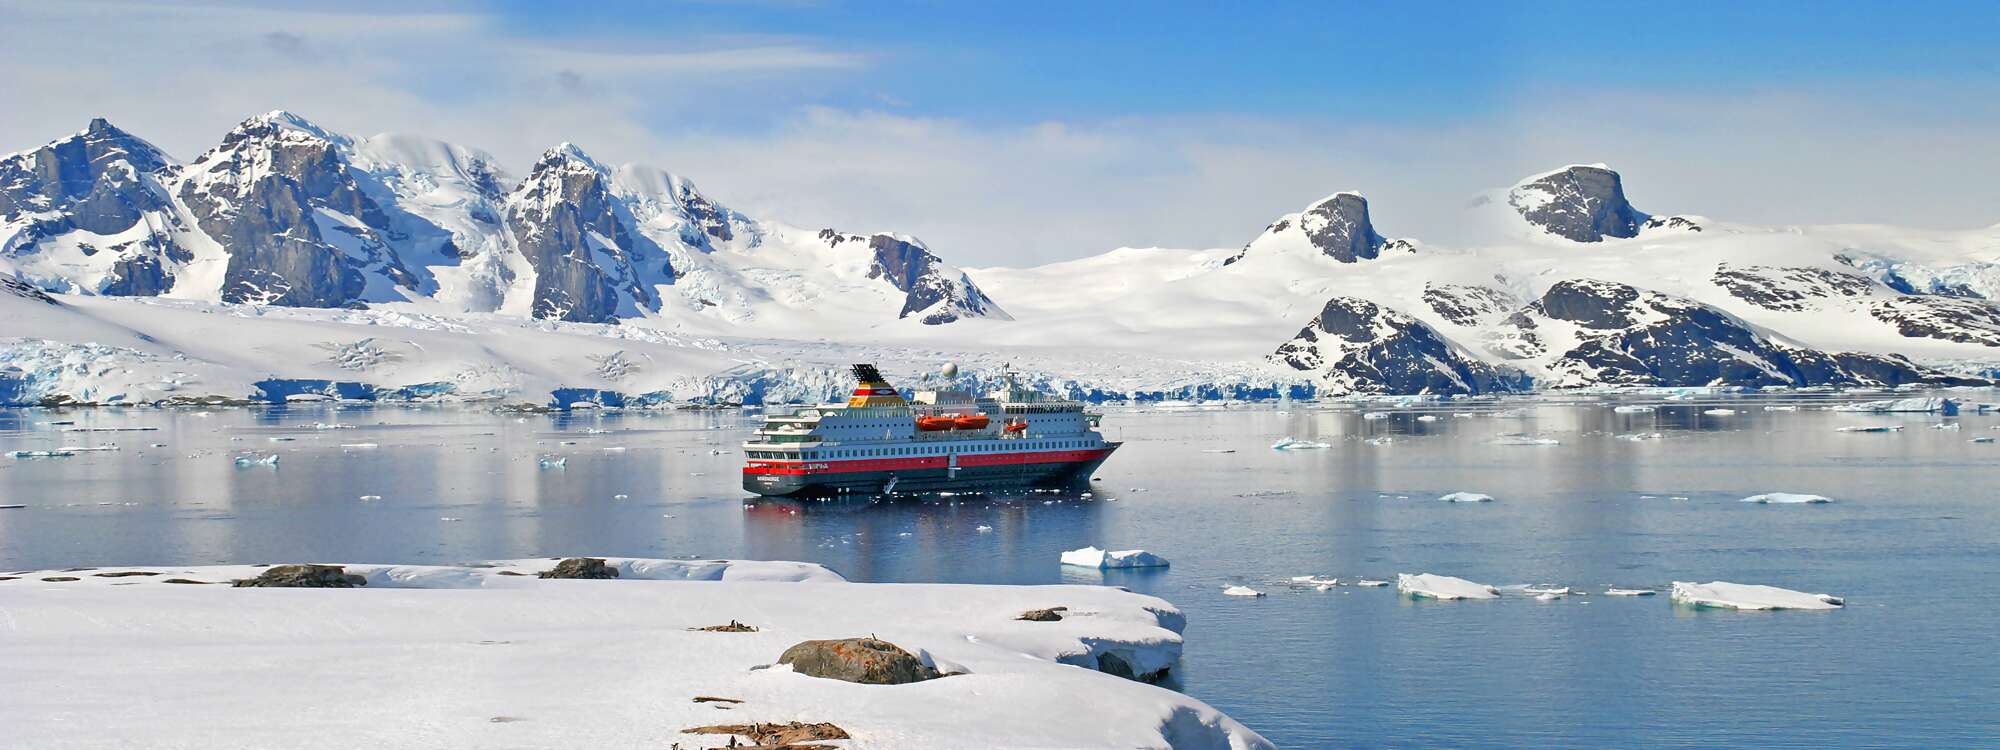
[{"x": 1913, "y": 541}]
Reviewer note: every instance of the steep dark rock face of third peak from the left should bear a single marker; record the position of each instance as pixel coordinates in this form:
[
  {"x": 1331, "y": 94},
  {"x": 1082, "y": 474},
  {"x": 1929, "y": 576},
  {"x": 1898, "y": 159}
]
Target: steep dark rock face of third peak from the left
[{"x": 553, "y": 217}]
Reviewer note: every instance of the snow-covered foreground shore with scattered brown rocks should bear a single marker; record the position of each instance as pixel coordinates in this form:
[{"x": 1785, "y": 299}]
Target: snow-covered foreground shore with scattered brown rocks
[{"x": 515, "y": 661}]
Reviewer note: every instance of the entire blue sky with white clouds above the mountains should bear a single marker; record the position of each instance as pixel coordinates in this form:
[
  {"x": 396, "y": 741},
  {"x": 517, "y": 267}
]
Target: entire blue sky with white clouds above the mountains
[{"x": 1031, "y": 133}]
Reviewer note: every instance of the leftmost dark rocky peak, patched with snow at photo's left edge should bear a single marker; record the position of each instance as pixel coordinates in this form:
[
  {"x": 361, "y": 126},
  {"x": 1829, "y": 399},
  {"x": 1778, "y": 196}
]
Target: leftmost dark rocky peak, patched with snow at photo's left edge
[{"x": 103, "y": 181}]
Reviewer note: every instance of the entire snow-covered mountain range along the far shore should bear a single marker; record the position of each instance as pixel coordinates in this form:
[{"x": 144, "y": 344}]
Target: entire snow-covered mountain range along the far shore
[{"x": 397, "y": 265}]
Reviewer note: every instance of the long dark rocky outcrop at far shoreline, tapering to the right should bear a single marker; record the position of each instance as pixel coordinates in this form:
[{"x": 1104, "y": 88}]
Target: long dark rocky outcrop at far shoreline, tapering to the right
[{"x": 1647, "y": 339}]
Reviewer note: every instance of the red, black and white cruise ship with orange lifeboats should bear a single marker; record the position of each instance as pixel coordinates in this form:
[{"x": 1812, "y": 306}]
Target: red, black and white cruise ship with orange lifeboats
[{"x": 881, "y": 443}]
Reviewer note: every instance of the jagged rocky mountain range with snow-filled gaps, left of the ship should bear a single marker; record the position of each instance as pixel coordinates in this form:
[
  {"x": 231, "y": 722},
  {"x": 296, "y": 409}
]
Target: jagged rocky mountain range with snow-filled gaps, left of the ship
[{"x": 285, "y": 213}]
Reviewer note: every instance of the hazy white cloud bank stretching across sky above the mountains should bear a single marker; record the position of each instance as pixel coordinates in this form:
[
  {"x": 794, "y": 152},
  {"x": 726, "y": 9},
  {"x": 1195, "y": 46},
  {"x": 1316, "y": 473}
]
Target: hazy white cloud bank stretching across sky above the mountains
[{"x": 979, "y": 193}]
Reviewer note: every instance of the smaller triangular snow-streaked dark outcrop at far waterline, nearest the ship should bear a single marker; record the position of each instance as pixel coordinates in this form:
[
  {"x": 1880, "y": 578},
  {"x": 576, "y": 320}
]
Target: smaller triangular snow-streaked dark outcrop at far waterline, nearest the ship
[{"x": 1367, "y": 349}]
